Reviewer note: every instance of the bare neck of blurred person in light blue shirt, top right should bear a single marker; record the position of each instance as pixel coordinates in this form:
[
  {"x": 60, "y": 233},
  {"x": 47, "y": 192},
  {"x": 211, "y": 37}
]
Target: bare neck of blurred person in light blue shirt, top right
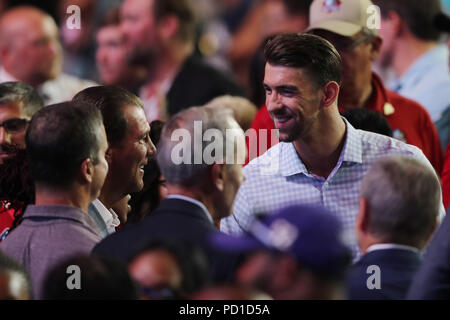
[{"x": 407, "y": 51}]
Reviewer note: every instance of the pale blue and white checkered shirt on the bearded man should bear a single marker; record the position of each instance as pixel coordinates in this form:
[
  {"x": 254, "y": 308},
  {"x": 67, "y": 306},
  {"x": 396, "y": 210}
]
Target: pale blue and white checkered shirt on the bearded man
[{"x": 279, "y": 178}]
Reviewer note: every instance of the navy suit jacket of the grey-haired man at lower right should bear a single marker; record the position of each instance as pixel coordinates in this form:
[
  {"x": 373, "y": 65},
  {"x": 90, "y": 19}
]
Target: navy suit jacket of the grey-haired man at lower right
[{"x": 397, "y": 269}]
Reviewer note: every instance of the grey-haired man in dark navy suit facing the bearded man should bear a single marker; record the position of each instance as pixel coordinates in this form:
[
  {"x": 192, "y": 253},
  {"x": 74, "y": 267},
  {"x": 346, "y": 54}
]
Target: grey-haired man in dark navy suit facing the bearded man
[{"x": 201, "y": 187}]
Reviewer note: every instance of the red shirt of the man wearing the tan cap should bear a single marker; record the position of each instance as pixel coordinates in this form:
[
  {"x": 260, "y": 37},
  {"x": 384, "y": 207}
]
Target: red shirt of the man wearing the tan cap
[{"x": 404, "y": 116}]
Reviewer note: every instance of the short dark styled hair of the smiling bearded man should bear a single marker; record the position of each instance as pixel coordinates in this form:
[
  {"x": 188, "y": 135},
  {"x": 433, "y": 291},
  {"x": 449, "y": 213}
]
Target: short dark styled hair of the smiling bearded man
[{"x": 312, "y": 53}]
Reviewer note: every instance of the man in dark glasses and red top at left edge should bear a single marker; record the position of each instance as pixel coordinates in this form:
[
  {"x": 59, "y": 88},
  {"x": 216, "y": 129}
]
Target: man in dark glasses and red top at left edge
[{"x": 18, "y": 103}]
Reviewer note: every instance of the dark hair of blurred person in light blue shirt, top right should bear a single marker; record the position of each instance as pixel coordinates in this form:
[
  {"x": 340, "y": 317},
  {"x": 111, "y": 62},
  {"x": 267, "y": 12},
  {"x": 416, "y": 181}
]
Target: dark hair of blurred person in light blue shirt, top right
[{"x": 417, "y": 14}]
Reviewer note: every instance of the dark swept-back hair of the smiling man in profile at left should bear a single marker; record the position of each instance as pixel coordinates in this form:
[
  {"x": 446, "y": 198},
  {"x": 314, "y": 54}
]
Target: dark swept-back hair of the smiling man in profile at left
[{"x": 110, "y": 100}]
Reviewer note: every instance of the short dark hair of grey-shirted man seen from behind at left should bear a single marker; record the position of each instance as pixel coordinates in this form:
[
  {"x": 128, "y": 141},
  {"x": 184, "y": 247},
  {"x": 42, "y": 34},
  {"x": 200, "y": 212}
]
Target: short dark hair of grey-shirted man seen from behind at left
[{"x": 59, "y": 138}]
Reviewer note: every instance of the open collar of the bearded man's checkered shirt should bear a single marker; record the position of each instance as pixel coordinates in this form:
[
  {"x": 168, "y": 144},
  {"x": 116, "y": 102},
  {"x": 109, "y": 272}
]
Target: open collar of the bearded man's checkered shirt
[{"x": 291, "y": 164}]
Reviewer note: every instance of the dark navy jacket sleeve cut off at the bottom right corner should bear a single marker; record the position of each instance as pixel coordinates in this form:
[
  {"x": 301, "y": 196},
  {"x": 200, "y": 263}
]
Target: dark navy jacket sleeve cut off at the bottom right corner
[{"x": 432, "y": 281}]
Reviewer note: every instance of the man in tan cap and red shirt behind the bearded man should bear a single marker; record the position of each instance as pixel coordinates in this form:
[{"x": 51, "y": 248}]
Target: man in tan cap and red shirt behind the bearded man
[{"x": 341, "y": 24}]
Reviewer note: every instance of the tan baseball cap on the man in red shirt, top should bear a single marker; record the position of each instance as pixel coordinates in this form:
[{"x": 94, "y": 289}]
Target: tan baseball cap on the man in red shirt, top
[{"x": 344, "y": 17}]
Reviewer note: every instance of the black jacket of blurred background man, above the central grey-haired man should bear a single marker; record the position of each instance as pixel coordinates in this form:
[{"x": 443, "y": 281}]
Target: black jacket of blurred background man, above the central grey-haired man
[{"x": 198, "y": 83}]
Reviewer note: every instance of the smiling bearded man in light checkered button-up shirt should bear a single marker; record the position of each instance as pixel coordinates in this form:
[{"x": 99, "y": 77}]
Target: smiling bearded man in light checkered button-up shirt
[{"x": 321, "y": 158}]
